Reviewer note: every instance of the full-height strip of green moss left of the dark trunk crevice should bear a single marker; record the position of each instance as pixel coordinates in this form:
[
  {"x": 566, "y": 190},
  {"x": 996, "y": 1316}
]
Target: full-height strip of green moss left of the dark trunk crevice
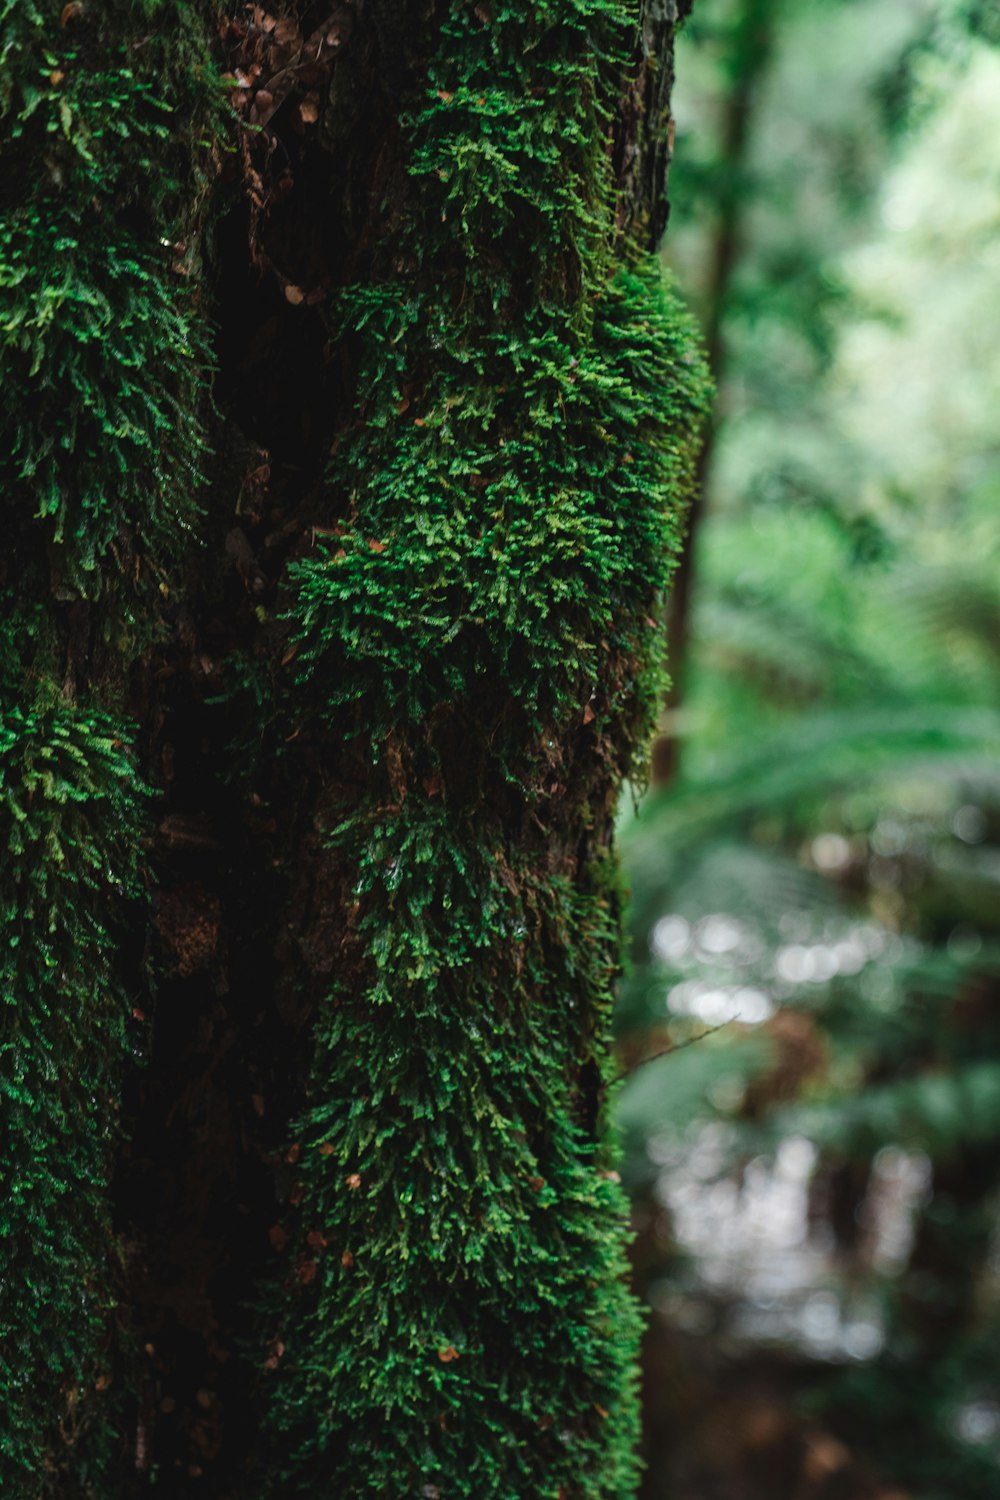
[{"x": 103, "y": 365}]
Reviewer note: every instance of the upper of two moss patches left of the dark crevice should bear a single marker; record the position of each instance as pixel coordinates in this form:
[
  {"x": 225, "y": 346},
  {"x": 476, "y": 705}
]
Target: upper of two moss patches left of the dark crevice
[{"x": 100, "y": 329}]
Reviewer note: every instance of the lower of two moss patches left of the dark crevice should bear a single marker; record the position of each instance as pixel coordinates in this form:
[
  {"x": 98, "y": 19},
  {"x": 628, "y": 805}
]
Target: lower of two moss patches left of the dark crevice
[{"x": 70, "y": 841}]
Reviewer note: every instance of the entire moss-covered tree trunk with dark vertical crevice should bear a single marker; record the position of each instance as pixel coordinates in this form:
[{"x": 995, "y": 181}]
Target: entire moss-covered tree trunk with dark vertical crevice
[{"x": 349, "y": 430}]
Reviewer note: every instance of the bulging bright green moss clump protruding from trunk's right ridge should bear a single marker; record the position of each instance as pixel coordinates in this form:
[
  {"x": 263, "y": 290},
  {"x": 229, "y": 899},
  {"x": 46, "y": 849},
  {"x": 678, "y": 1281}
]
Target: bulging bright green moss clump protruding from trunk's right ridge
[{"x": 525, "y": 512}]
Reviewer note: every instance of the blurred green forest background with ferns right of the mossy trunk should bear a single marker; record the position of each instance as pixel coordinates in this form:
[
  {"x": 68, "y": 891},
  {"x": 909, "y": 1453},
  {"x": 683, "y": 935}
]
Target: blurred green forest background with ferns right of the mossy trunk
[{"x": 810, "y": 1028}]
